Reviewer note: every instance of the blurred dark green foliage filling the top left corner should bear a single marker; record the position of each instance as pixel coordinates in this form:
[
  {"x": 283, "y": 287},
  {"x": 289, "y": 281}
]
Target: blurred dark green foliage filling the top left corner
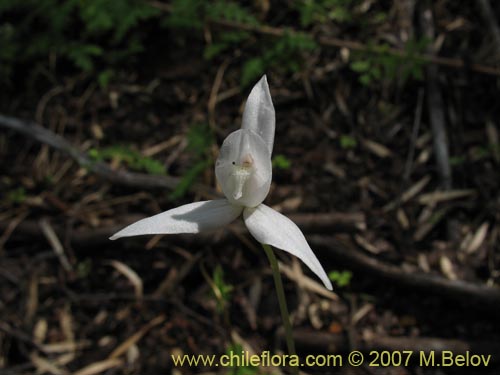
[{"x": 34, "y": 32}]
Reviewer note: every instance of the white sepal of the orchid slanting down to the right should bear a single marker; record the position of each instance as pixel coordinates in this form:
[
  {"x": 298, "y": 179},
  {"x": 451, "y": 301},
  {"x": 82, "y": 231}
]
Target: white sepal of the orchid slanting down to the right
[{"x": 272, "y": 228}]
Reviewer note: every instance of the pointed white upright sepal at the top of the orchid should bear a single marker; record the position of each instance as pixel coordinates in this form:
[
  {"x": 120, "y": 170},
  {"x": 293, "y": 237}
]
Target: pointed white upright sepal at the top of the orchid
[{"x": 258, "y": 115}]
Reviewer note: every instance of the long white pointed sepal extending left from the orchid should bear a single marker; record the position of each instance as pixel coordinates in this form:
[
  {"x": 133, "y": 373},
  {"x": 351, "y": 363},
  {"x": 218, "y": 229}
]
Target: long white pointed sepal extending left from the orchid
[{"x": 190, "y": 218}]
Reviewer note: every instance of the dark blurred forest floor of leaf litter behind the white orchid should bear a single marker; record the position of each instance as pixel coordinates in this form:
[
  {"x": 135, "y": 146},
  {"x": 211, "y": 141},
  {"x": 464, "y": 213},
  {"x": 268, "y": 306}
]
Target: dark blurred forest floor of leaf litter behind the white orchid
[{"x": 386, "y": 155}]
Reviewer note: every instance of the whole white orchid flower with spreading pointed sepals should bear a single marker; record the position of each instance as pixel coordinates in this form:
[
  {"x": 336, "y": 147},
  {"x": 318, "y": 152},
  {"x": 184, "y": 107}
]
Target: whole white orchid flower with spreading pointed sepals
[{"x": 243, "y": 170}]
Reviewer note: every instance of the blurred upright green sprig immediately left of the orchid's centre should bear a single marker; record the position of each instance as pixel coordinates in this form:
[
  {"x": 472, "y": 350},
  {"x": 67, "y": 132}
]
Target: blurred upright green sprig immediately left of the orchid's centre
[{"x": 200, "y": 140}]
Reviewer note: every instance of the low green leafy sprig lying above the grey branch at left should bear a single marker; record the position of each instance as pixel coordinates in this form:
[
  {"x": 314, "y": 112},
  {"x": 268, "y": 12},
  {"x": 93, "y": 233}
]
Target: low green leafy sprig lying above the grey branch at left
[{"x": 131, "y": 158}]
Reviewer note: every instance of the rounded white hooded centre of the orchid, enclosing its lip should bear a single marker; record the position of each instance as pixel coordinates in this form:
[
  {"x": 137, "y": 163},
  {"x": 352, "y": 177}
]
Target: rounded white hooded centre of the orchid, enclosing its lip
[{"x": 243, "y": 168}]
